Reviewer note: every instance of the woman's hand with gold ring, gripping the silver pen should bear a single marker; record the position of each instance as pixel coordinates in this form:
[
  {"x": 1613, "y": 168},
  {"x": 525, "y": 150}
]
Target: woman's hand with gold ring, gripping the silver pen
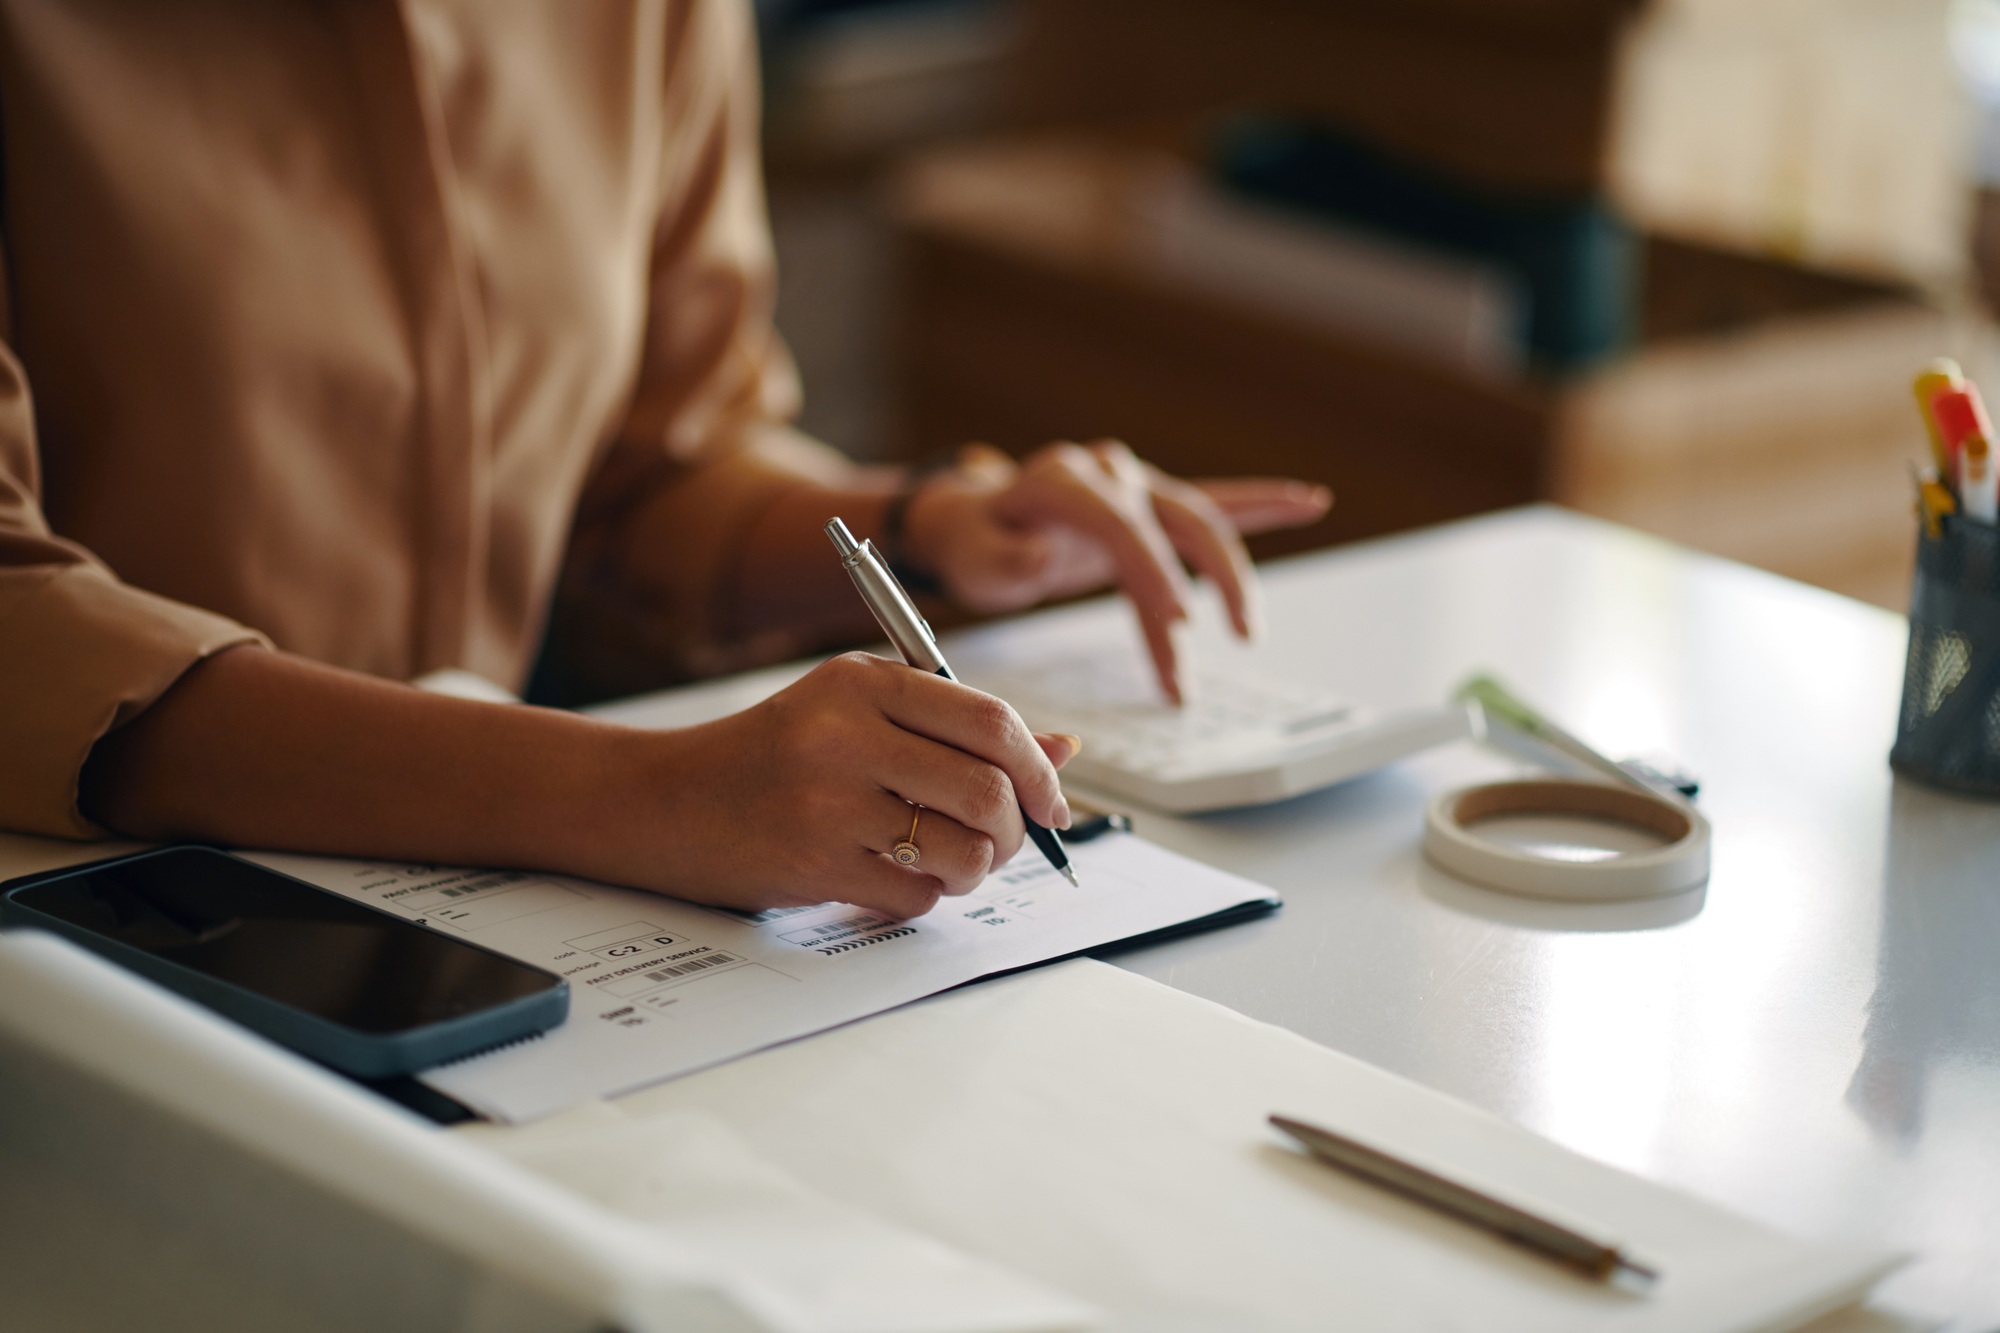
[{"x": 801, "y": 798}]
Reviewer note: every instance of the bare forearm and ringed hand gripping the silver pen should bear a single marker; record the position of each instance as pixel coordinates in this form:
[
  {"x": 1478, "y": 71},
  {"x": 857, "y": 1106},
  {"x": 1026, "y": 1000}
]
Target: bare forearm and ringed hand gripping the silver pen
[{"x": 791, "y": 802}]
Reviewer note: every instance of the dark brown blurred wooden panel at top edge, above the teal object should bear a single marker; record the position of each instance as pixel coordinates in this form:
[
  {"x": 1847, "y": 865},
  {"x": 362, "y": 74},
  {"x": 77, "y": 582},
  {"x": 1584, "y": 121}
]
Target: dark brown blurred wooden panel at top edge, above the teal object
[{"x": 1515, "y": 93}]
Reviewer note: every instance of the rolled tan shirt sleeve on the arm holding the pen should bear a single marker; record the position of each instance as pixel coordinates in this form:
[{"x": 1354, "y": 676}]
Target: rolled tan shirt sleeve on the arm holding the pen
[{"x": 81, "y": 651}]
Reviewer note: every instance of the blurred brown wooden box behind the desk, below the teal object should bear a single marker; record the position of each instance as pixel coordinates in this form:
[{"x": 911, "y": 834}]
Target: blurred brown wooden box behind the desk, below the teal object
[{"x": 1765, "y": 413}]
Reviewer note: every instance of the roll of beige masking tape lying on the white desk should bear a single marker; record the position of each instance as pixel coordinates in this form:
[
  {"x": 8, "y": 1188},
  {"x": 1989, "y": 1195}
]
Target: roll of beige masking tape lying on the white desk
[{"x": 1681, "y": 862}]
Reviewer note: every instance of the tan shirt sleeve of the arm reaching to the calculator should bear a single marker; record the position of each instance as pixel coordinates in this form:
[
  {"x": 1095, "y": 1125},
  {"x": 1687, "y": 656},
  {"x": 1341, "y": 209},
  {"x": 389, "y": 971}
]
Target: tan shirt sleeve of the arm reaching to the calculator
[{"x": 707, "y": 441}]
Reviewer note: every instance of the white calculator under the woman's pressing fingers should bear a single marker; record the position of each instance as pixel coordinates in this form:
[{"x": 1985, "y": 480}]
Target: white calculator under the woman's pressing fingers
[{"x": 1239, "y": 742}]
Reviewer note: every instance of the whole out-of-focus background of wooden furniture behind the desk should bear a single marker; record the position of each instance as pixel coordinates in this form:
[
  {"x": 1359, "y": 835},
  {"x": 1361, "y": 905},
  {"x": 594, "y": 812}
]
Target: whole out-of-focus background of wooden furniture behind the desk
[{"x": 1663, "y": 261}]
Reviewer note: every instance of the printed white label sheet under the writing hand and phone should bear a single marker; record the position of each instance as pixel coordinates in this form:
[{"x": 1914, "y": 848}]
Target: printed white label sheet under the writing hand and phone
[{"x": 661, "y": 988}]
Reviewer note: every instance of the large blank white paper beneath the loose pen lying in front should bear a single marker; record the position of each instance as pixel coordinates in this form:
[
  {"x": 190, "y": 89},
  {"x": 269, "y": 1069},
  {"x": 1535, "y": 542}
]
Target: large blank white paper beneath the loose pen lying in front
[{"x": 1105, "y": 1136}]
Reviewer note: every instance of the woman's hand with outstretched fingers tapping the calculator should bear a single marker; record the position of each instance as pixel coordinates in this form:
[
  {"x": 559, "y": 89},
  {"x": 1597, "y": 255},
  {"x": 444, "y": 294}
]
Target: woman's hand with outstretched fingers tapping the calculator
[{"x": 1079, "y": 517}]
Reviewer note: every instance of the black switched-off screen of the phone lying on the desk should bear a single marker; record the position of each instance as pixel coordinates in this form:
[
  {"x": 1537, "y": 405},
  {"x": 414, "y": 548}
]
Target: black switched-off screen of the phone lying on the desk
[{"x": 285, "y": 940}]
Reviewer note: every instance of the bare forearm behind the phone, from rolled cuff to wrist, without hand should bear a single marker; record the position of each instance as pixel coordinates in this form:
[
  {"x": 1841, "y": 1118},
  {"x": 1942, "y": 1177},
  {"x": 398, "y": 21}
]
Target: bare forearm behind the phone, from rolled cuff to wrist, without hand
[{"x": 265, "y": 750}]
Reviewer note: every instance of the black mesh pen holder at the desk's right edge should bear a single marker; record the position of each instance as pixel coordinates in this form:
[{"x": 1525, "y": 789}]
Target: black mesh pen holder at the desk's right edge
[{"x": 1949, "y": 732}]
